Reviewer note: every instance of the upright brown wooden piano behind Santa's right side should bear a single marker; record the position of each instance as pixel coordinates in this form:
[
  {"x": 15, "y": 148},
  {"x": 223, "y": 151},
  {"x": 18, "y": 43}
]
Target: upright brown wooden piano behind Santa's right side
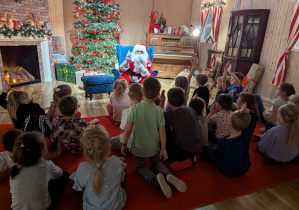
[{"x": 173, "y": 53}]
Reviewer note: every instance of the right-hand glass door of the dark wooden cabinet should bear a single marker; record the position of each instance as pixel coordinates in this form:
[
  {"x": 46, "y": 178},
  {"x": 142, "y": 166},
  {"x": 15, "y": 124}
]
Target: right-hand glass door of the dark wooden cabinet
[{"x": 250, "y": 34}]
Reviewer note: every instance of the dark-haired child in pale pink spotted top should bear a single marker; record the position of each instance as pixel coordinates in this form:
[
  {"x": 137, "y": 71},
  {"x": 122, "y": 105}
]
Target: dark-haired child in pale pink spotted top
[{"x": 220, "y": 115}]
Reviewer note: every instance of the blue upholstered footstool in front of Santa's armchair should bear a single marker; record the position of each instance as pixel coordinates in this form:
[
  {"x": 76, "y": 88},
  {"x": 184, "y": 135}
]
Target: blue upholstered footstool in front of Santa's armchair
[{"x": 99, "y": 83}]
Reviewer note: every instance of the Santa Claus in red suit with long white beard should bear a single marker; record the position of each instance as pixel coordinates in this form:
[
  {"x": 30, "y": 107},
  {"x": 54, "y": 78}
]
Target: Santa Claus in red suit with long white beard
[{"x": 137, "y": 65}]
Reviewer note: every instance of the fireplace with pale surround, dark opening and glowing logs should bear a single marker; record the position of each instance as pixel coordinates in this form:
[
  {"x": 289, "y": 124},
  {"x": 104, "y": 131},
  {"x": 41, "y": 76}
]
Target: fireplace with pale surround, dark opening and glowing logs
[{"x": 26, "y": 59}]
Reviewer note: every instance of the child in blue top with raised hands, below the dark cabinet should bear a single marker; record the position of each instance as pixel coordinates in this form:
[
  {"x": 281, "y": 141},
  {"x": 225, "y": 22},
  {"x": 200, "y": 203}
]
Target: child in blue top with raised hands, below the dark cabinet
[{"x": 236, "y": 78}]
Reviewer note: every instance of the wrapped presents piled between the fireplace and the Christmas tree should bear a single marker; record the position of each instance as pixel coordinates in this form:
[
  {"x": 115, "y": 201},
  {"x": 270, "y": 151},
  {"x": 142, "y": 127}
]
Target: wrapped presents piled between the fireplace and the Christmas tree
[{"x": 64, "y": 71}]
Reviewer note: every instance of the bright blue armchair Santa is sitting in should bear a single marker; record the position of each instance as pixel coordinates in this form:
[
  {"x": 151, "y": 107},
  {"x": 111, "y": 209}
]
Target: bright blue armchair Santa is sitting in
[{"x": 122, "y": 51}]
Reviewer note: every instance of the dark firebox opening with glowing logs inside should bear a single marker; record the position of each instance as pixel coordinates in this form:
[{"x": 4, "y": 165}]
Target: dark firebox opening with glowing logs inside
[{"x": 20, "y": 65}]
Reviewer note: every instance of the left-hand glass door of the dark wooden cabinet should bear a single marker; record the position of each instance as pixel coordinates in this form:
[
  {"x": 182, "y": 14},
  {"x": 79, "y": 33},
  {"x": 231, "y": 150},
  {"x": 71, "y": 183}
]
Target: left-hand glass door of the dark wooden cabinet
[{"x": 235, "y": 35}]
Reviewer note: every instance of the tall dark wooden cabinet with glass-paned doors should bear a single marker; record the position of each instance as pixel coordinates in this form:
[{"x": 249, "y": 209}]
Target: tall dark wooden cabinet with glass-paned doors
[{"x": 245, "y": 38}]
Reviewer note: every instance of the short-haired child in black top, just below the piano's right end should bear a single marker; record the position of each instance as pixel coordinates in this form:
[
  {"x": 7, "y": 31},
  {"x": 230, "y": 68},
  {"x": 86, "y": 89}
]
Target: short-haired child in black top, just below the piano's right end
[{"x": 202, "y": 91}]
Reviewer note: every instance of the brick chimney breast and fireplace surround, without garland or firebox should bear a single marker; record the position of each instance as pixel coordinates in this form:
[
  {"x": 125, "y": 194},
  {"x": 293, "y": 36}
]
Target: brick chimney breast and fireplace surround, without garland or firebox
[{"x": 22, "y": 11}]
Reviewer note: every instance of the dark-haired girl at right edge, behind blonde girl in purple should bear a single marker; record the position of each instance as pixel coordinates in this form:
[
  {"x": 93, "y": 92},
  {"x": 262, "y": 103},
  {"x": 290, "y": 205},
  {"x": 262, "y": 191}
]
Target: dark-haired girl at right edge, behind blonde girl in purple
[{"x": 269, "y": 116}]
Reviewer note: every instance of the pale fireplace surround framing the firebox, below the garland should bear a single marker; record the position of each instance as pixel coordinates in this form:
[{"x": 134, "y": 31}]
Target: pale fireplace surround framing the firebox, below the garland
[{"x": 44, "y": 55}]
